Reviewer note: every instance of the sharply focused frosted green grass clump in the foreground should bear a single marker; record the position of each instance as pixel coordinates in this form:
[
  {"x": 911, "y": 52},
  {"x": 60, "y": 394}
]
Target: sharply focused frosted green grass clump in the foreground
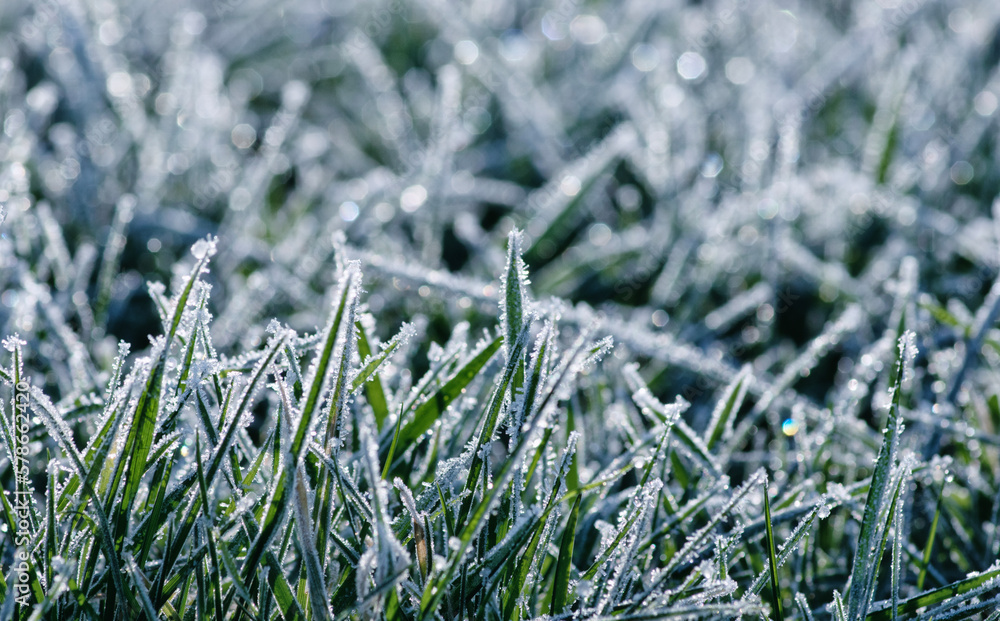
[{"x": 469, "y": 492}]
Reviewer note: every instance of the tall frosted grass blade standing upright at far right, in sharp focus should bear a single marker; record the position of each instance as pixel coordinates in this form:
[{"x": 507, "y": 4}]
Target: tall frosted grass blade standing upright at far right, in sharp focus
[{"x": 865, "y": 565}]
